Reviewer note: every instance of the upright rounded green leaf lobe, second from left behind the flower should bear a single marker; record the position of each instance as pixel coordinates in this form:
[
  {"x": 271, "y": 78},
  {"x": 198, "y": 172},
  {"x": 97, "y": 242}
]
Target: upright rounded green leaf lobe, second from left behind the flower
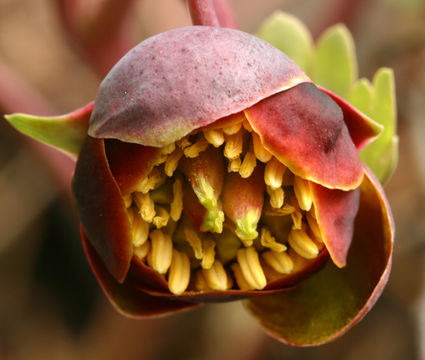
[{"x": 335, "y": 64}]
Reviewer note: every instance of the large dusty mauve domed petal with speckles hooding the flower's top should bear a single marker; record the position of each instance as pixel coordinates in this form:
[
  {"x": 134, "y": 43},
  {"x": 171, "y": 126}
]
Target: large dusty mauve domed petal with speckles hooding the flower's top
[{"x": 186, "y": 78}]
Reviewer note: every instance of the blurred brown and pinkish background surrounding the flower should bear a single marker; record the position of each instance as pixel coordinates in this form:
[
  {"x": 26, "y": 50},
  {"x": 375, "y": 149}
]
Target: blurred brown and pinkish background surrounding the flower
[{"x": 50, "y": 305}]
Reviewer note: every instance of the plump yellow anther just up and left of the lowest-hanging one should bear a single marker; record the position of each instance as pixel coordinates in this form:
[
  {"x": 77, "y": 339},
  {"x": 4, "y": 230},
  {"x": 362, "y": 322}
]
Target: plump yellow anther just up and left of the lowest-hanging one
[{"x": 161, "y": 251}]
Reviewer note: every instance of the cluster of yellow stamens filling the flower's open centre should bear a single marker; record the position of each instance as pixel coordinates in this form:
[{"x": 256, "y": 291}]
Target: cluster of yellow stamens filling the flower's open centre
[{"x": 283, "y": 235}]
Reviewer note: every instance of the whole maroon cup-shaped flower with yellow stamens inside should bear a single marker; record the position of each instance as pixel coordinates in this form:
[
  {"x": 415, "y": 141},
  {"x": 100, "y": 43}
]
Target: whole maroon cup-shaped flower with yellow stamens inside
[{"x": 216, "y": 170}]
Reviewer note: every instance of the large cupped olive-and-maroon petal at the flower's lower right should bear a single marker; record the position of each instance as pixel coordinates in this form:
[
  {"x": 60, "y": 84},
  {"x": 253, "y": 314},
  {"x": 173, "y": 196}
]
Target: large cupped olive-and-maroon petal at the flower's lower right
[{"x": 325, "y": 306}]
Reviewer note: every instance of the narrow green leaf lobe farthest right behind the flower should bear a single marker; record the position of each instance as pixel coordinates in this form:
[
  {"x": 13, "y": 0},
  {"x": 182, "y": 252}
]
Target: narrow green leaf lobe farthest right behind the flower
[{"x": 382, "y": 155}]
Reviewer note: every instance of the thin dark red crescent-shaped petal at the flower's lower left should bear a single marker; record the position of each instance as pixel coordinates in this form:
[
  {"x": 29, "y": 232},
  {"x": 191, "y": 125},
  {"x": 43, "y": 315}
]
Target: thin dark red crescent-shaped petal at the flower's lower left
[{"x": 126, "y": 297}]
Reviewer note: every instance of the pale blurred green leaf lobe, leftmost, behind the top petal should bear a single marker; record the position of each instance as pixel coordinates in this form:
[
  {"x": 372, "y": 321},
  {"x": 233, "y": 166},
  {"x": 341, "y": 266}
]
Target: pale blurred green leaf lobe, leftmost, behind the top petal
[{"x": 291, "y": 36}]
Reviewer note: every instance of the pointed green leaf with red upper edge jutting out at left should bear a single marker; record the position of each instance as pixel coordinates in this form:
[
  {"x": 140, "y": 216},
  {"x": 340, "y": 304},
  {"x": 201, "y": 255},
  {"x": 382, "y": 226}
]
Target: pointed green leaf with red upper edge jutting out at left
[{"x": 65, "y": 132}]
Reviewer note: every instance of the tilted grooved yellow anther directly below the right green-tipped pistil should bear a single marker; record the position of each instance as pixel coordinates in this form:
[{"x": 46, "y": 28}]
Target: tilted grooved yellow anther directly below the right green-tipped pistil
[{"x": 251, "y": 268}]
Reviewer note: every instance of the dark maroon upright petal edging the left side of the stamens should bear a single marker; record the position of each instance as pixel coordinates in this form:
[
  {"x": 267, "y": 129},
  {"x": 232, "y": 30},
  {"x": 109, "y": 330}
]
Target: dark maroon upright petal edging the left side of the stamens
[{"x": 101, "y": 209}]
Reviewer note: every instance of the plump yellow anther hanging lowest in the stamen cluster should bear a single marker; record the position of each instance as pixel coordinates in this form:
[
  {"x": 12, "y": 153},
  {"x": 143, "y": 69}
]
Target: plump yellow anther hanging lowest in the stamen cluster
[{"x": 179, "y": 275}]
